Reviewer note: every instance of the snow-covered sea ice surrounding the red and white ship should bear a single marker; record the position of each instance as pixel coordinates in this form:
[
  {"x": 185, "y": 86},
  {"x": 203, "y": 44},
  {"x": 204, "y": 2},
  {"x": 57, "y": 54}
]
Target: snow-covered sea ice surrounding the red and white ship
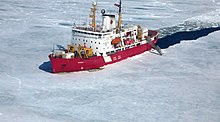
[{"x": 182, "y": 85}]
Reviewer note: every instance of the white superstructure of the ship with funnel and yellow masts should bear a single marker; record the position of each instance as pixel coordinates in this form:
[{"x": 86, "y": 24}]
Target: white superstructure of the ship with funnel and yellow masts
[{"x": 107, "y": 38}]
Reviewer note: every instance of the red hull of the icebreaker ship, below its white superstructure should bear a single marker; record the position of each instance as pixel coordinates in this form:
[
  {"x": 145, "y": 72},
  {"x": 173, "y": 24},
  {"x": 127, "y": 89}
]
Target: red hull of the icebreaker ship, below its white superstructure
[{"x": 78, "y": 64}]
